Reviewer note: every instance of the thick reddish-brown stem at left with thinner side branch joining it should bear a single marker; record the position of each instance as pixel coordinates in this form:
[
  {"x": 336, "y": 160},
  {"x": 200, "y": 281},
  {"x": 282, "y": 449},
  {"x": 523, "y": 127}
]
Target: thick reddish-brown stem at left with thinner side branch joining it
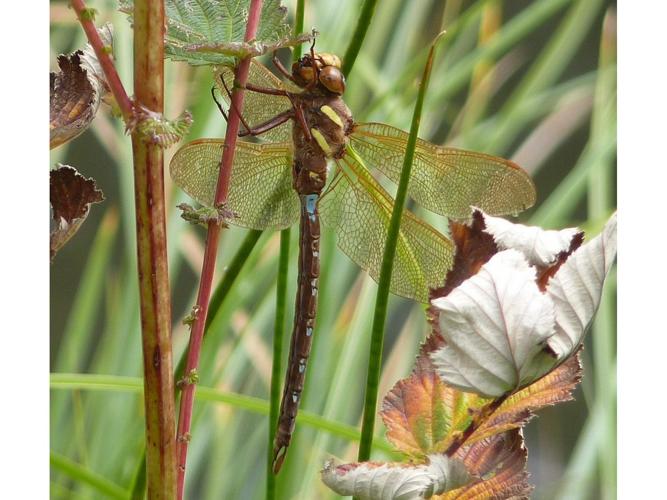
[{"x": 155, "y": 304}]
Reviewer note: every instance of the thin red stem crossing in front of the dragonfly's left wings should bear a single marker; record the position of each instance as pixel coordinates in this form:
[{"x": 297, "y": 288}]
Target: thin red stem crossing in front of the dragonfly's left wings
[{"x": 210, "y": 252}]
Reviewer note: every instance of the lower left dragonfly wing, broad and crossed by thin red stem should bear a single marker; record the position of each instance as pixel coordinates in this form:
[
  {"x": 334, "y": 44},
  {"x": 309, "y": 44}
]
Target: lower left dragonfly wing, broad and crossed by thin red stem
[{"x": 260, "y": 192}]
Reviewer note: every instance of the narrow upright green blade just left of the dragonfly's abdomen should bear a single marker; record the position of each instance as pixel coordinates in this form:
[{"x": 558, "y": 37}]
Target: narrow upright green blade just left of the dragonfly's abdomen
[{"x": 276, "y": 369}]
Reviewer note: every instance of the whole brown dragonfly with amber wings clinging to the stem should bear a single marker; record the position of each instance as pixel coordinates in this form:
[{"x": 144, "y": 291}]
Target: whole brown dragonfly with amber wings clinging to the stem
[{"x": 316, "y": 164}]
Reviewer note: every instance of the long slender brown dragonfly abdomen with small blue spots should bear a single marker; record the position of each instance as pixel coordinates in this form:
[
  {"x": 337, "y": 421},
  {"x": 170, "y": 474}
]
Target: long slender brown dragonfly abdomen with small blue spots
[{"x": 304, "y": 325}]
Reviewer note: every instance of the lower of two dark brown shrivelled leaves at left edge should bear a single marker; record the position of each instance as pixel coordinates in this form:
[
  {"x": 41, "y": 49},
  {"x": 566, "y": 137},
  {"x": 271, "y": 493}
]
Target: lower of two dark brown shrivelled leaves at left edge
[{"x": 71, "y": 195}]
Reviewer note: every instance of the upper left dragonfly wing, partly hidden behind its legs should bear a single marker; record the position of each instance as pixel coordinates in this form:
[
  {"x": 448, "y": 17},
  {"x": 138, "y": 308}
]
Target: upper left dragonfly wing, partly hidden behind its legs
[{"x": 259, "y": 108}]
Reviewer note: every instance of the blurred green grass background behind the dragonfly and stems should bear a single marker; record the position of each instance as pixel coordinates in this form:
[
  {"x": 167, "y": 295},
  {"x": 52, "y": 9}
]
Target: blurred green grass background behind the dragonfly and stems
[{"x": 534, "y": 81}]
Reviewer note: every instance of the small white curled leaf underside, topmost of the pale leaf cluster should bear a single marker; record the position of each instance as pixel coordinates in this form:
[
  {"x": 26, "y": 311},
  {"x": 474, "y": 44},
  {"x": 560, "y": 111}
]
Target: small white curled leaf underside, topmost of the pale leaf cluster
[{"x": 538, "y": 245}]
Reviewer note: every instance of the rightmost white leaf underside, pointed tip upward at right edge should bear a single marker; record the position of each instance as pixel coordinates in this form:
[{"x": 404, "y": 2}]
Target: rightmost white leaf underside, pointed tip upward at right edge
[{"x": 577, "y": 287}]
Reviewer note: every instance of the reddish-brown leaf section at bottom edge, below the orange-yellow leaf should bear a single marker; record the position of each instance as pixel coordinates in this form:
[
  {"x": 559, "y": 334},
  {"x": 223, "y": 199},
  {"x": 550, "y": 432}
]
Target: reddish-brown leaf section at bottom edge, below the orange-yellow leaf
[{"x": 499, "y": 461}]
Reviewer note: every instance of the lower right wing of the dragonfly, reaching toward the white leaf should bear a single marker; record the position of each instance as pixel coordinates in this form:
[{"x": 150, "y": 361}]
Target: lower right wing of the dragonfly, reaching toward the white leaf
[{"x": 359, "y": 210}]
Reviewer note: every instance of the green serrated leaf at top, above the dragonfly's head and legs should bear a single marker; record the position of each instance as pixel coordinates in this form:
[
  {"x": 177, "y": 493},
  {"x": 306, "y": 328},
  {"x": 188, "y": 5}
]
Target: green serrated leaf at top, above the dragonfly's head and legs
[{"x": 211, "y": 32}]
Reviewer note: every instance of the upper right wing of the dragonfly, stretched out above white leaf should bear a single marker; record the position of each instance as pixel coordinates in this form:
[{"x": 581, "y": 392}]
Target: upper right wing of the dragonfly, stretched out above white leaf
[{"x": 446, "y": 181}]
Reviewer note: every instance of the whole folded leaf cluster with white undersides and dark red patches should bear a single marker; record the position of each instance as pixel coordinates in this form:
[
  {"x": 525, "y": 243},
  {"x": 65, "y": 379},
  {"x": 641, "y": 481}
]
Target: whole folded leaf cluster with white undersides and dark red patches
[{"x": 524, "y": 311}]
